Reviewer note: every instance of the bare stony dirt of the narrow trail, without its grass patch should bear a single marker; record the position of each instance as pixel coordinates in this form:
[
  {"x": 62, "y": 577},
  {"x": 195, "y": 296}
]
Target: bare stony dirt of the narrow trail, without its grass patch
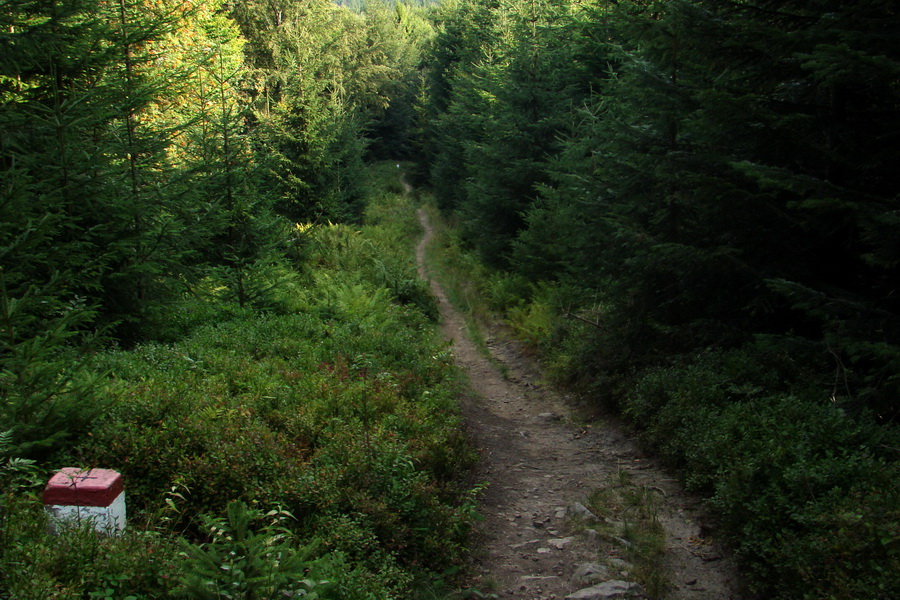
[{"x": 536, "y": 460}]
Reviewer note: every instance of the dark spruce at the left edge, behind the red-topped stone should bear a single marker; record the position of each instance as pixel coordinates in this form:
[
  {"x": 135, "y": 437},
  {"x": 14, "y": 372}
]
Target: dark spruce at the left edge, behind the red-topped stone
[{"x": 58, "y": 187}]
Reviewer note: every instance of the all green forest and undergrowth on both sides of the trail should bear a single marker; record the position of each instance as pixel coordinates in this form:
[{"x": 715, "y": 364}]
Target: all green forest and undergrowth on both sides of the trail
[{"x": 688, "y": 208}]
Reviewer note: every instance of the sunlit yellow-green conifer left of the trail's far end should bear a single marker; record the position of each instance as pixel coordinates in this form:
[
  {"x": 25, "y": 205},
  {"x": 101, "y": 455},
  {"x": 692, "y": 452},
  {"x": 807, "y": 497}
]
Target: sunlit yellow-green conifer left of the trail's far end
[{"x": 318, "y": 80}]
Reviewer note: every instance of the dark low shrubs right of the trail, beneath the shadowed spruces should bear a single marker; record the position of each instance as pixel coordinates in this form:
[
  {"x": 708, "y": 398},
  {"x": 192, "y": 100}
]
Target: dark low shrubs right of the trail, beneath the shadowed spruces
[{"x": 805, "y": 491}]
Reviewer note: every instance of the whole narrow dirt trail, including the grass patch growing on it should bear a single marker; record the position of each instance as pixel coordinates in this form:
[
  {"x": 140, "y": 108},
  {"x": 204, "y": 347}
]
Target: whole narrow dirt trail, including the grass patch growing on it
[{"x": 571, "y": 510}]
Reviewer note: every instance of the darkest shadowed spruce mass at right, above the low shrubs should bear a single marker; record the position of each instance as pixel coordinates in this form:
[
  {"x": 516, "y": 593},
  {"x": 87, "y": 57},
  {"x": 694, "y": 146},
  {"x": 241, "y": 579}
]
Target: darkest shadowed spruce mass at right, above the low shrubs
[{"x": 738, "y": 184}]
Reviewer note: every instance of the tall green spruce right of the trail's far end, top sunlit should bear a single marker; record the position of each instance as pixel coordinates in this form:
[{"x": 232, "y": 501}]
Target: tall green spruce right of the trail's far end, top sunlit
[{"x": 504, "y": 83}]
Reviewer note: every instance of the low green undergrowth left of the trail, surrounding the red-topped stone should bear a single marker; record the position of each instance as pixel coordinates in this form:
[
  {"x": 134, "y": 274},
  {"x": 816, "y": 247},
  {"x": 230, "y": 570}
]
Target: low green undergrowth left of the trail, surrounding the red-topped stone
[{"x": 310, "y": 449}]
